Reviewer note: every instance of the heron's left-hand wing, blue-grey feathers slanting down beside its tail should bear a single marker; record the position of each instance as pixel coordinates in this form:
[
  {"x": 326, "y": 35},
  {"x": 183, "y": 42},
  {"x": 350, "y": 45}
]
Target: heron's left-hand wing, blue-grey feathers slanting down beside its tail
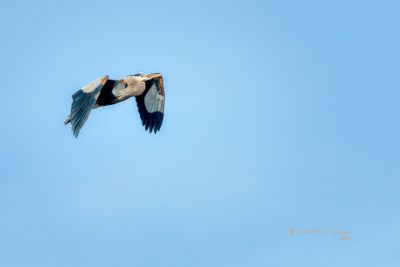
[{"x": 83, "y": 102}]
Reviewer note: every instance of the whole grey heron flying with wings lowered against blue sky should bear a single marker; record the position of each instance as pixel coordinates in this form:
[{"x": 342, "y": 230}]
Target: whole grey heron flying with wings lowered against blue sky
[{"x": 148, "y": 90}]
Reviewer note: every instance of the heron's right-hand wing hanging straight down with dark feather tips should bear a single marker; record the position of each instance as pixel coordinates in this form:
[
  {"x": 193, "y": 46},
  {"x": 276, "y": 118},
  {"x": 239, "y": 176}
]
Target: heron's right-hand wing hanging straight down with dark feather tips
[{"x": 151, "y": 104}]
